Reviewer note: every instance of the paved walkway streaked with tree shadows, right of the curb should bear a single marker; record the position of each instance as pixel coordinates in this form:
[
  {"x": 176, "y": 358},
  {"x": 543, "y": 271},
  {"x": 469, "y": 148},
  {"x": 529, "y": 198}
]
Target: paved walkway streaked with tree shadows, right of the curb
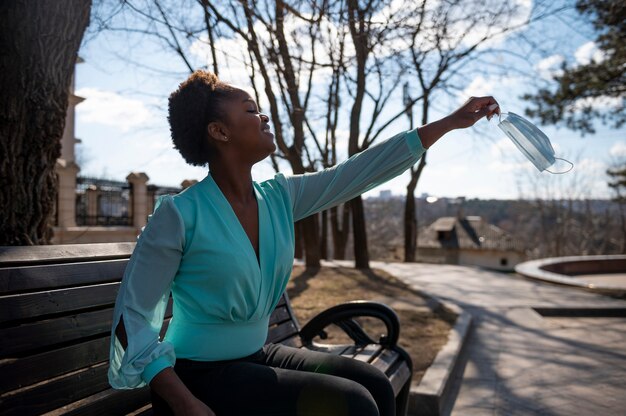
[{"x": 520, "y": 363}]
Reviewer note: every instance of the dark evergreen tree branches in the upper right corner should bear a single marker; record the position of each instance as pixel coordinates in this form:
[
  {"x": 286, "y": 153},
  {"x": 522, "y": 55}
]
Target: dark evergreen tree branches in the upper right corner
[{"x": 579, "y": 89}]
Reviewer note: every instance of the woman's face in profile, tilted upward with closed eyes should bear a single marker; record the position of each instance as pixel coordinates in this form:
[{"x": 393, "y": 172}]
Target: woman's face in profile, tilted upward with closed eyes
[{"x": 249, "y": 132}]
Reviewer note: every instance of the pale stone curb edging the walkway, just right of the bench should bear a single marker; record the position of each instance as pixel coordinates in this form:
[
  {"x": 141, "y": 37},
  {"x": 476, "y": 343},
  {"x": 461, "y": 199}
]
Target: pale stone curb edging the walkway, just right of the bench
[{"x": 433, "y": 394}]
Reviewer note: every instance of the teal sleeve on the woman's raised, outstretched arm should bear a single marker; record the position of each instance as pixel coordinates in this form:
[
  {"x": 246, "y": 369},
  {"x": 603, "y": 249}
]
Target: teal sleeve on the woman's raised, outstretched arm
[{"x": 314, "y": 192}]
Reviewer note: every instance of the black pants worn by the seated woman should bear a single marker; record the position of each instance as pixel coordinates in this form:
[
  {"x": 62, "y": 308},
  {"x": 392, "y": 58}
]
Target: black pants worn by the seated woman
[{"x": 284, "y": 381}]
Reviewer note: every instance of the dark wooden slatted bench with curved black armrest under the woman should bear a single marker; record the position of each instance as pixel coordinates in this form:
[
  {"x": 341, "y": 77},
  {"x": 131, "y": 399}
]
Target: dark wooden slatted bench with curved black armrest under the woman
[{"x": 56, "y": 306}]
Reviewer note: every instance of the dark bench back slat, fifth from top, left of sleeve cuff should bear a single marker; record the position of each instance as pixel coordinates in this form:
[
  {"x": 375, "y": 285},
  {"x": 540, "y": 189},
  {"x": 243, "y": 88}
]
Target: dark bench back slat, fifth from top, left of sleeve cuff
[{"x": 30, "y": 370}]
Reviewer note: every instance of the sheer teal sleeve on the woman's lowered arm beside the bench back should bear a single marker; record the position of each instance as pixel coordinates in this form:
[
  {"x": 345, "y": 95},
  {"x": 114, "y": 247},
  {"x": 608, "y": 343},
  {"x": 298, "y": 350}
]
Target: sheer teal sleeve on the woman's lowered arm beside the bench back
[{"x": 143, "y": 297}]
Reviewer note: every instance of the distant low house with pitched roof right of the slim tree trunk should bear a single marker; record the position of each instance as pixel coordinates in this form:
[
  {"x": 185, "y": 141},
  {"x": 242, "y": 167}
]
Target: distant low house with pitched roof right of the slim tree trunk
[{"x": 469, "y": 241}]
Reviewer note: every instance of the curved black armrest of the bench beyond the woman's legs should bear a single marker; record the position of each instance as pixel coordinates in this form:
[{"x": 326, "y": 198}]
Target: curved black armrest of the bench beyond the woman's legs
[{"x": 342, "y": 315}]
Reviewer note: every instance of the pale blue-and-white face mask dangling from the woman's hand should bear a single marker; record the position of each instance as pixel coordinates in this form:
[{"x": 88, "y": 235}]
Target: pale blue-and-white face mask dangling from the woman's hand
[{"x": 531, "y": 141}]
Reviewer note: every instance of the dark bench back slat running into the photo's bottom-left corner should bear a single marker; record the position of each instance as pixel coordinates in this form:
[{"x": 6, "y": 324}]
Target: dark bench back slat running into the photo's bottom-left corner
[{"x": 56, "y": 393}]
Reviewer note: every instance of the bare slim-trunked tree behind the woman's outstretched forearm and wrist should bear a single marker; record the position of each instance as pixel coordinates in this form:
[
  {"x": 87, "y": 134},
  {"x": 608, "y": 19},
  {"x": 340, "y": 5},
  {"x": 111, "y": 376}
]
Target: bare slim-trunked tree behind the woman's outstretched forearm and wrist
[{"x": 443, "y": 40}]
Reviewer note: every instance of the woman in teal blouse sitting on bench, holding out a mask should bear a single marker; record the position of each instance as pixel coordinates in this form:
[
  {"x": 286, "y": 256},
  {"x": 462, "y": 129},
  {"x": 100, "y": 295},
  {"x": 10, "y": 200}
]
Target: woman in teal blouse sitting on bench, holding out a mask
[{"x": 224, "y": 248}]
